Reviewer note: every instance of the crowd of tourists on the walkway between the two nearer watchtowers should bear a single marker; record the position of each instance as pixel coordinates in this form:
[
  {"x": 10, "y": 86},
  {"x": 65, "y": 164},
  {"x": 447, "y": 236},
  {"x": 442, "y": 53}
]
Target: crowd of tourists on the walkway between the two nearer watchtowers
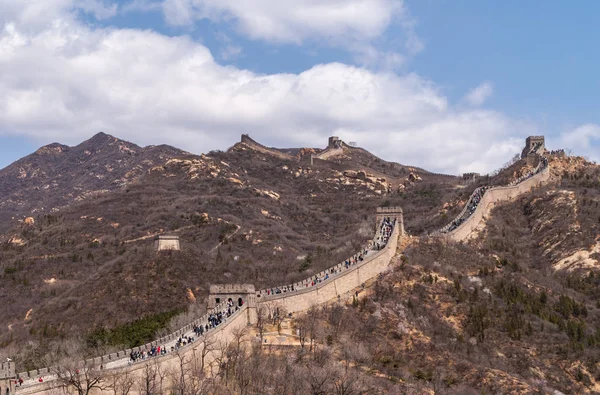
[{"x": 379, "y": 242}]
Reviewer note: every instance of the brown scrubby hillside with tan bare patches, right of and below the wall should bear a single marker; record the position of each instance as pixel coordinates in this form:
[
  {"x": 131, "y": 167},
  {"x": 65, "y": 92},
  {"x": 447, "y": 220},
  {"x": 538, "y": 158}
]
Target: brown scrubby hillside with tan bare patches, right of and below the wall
[{"x": 515, "y": 309}]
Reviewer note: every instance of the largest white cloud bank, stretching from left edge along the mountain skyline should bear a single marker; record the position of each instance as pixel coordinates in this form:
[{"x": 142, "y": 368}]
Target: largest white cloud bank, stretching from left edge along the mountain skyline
[{"x": 152, "y": 89}]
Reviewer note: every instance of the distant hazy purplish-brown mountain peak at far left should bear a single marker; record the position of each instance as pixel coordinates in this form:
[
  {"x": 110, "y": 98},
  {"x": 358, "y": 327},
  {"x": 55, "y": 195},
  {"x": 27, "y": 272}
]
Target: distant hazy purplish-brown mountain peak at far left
[{"x": 56, "y": 175}]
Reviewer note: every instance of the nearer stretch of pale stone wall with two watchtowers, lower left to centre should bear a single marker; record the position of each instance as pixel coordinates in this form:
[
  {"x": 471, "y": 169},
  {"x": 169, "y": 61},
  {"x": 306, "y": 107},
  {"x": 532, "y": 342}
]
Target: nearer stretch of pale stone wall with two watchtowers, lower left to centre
[{"x": 302, "y": 299}]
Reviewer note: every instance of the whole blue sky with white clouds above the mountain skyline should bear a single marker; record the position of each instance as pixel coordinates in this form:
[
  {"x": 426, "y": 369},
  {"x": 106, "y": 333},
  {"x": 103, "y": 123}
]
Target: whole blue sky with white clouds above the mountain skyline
[{"x": 466, "y": 79}]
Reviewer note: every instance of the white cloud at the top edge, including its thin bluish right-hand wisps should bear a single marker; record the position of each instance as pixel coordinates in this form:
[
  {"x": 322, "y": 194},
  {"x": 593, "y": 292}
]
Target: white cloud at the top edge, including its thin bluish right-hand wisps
[{"x": 355, "y": 25}]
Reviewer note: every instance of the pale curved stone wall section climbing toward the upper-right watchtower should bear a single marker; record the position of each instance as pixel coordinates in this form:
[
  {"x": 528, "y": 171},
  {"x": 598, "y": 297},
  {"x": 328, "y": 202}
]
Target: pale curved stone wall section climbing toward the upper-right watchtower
[{"x": 493, "y": 196}]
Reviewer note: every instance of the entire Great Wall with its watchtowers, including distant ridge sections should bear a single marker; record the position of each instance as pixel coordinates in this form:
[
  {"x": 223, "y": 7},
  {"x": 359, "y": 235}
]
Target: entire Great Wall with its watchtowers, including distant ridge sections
[{"x": 294, "y": 298}]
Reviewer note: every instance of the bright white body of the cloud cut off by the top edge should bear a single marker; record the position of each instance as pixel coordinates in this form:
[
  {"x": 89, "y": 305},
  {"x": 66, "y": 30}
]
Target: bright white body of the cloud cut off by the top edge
[{"x": 290, "y": 21}]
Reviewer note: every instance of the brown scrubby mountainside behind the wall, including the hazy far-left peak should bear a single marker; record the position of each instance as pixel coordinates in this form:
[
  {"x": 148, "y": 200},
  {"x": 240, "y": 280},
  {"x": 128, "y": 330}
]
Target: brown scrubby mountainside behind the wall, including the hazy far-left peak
[{"x": 241, "y": 215}]
